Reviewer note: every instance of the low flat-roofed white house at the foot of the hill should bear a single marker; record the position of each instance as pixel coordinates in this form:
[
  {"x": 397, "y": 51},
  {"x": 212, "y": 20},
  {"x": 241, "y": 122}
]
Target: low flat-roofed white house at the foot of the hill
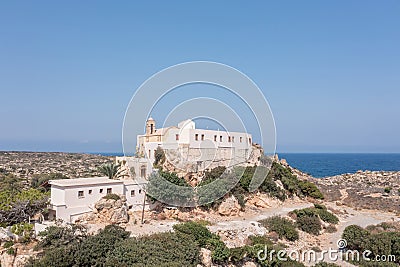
[{"x": 70, "y": 198}]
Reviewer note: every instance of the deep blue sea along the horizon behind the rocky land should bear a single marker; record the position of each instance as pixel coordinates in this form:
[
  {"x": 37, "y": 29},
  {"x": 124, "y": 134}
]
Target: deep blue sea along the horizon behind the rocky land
[{"x": 330, "y": 164}]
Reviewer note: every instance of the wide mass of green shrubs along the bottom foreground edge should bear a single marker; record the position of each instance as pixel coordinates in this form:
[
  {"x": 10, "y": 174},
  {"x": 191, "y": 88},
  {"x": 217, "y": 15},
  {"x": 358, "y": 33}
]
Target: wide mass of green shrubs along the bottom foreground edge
[{"x": 112, "y": 246}]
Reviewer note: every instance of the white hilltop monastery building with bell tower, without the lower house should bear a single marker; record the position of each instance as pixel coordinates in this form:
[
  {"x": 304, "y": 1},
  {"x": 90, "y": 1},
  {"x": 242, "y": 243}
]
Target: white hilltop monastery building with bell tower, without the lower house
[{"x": 184, "y": 144}]
